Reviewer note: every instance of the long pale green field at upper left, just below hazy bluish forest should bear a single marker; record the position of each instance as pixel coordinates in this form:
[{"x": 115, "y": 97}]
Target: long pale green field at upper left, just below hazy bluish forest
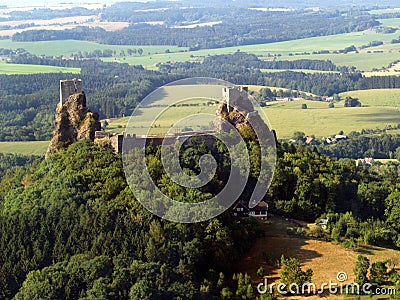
[{"x": 66, "y": 47}]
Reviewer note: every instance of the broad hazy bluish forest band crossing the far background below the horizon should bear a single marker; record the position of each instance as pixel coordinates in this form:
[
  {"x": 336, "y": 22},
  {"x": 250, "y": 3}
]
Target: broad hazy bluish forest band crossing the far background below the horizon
[{"x": 238, "y": 27}]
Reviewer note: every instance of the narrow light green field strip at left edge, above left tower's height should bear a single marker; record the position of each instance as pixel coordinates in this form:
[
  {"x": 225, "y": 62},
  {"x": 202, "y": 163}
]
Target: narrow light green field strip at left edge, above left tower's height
[{"x": 6, "y": 68}]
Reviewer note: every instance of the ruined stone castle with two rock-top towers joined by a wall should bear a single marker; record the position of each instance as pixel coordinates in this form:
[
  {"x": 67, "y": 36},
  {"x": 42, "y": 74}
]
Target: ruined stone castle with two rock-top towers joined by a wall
[{"x": 236, "y": 108}]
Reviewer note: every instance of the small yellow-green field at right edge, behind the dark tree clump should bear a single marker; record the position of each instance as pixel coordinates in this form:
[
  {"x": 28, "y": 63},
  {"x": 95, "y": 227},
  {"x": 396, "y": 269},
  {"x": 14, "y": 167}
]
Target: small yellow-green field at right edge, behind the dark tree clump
[{"x": 377, "y": 97}]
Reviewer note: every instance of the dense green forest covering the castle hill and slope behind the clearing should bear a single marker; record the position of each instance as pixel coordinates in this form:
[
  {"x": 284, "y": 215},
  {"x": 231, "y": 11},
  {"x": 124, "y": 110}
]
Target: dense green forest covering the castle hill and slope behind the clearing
[{"x": 74, "y": 230}]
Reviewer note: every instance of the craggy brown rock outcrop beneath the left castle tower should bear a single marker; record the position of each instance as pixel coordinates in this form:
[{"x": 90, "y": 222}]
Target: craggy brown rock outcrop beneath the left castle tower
[{"x": 74, "y": 121}]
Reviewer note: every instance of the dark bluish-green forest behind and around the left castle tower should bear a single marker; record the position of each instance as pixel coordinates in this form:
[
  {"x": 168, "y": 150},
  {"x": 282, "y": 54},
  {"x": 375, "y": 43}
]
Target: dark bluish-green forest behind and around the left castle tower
[{"x": 28, "y": 102}]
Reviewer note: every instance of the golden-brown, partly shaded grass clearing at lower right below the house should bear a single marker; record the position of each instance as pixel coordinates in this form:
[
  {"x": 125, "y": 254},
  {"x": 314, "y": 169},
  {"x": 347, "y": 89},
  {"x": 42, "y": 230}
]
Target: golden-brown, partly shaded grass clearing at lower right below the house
[{"x": 324, "y": 258}]
